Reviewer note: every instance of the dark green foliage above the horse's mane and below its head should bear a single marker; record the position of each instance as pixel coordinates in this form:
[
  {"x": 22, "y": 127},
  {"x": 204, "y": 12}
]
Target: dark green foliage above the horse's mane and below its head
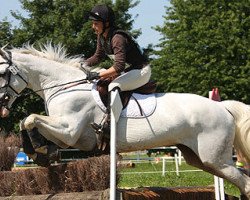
[{"x": 59, "y": 21}]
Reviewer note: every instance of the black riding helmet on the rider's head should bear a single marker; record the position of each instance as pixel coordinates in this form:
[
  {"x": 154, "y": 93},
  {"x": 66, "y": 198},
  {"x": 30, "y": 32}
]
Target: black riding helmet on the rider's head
[{"x": 102, "y": 13}]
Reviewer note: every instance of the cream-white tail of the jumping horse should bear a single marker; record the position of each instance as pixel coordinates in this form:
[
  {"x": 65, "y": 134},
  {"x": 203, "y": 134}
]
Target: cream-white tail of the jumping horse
[{"x": 241, "y": 114}]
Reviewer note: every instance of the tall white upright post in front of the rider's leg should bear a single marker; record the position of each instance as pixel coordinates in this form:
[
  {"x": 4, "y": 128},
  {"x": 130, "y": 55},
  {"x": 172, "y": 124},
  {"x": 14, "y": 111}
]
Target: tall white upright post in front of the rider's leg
[{"x": 115, "y": 111}]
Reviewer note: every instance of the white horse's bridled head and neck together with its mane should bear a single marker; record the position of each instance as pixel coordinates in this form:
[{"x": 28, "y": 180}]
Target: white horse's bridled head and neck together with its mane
[{"x": 36, "y": 69}]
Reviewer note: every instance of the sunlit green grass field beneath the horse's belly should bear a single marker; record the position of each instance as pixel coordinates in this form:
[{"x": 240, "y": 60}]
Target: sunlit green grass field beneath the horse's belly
[{"x": 149, "y": 173}]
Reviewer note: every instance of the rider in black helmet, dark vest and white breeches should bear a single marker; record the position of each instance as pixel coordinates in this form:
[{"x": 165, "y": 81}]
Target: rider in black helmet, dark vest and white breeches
[{"x": 130, "y": 68}]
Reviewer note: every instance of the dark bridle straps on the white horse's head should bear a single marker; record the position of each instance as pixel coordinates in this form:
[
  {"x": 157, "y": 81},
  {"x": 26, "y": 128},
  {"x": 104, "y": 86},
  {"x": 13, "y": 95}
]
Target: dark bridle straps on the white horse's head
[{"x": 5, "y": 78}]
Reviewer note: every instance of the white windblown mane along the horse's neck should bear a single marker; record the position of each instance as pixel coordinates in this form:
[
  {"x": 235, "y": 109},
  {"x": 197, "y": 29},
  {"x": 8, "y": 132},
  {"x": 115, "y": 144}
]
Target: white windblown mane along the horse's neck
[{"x": 56, "y": 53}]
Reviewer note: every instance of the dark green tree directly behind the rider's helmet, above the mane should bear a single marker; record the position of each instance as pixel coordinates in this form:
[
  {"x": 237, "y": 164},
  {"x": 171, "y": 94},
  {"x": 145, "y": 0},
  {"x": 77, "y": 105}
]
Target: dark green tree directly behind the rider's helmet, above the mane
[{"x": 66, "y": 22}]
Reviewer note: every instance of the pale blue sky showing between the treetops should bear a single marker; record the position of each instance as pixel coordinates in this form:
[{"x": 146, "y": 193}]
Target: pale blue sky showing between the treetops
[{"x": 150, "y": 14}]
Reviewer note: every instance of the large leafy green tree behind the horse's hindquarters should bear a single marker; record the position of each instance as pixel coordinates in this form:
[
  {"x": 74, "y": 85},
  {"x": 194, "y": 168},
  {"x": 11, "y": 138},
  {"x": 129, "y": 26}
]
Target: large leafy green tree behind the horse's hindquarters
[{"x": 205, "y": 44}]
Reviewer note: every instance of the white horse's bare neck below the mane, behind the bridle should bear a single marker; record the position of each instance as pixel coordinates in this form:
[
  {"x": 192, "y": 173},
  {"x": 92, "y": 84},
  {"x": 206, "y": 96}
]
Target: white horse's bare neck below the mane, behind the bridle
[{"x": 43, "y": 73}]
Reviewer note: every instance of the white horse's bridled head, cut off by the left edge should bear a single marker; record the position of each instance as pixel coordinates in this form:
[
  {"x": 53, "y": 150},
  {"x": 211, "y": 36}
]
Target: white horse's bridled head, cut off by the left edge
[{"x": 9, "y": 89}]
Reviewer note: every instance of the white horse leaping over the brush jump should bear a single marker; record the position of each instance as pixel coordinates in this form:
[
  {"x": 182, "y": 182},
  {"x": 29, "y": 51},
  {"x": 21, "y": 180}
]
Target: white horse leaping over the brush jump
[{"x": 203, "y": 129}]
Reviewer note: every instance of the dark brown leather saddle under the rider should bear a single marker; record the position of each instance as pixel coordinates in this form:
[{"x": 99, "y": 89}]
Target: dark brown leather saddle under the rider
[{"x": 102, "y": 88}]
